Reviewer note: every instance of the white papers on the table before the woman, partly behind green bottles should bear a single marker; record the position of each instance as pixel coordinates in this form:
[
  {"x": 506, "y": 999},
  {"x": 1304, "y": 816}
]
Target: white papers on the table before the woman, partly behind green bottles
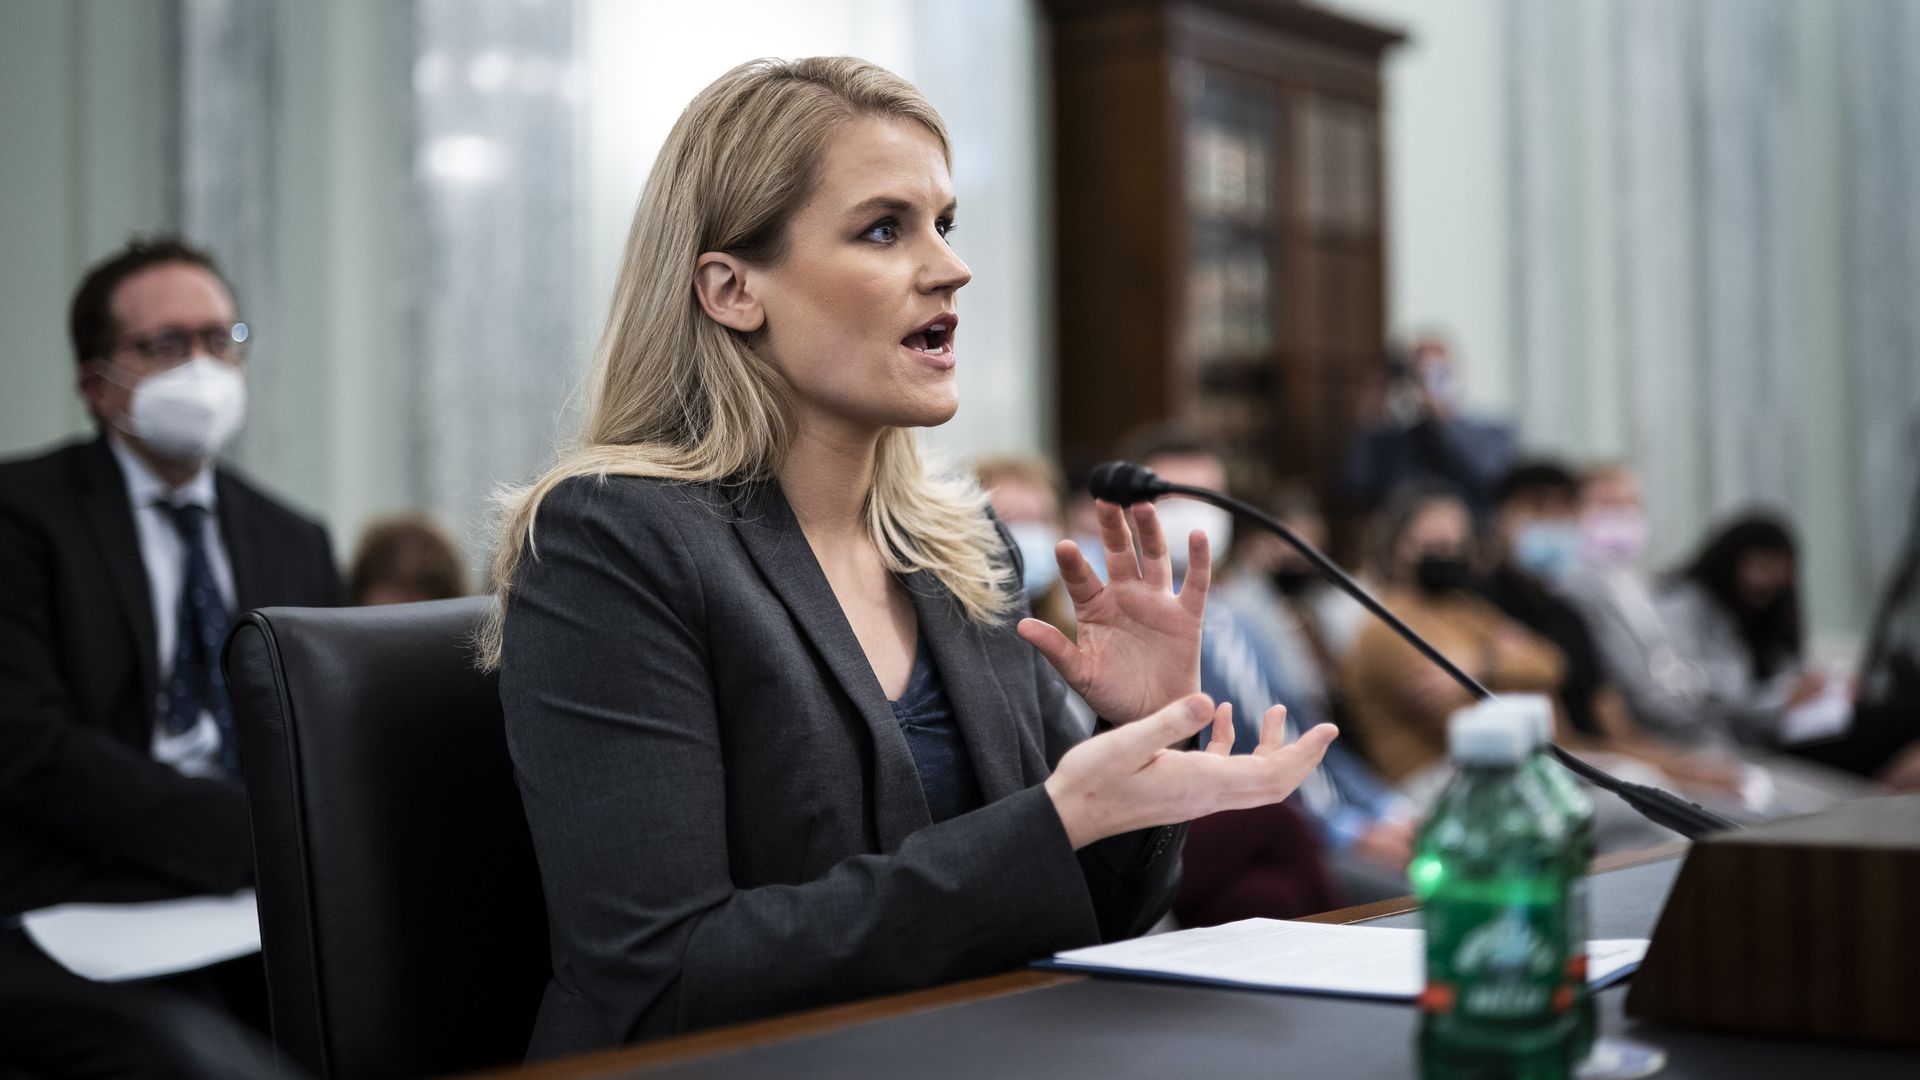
[{"x": 1310, "y": 958}]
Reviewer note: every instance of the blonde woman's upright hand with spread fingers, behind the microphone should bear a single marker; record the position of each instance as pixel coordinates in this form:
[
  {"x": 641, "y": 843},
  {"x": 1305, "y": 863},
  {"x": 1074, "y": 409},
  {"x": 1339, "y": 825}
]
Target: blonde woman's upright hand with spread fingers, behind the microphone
[{"x": 1140, "y": 645}]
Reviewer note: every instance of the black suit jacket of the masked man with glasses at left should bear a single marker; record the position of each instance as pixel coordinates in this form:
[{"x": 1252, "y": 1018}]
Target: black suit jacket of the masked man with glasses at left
[{"x": 85, "y": 812}]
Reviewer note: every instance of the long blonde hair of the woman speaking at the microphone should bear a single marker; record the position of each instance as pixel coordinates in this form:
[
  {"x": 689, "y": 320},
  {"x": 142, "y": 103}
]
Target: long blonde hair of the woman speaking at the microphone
[{"x": 677, "y": 397}]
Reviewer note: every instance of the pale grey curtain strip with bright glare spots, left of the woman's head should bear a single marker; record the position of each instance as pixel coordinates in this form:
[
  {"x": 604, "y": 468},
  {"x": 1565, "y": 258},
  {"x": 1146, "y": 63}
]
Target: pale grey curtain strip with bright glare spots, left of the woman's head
[{"x": 491, "y": 308}]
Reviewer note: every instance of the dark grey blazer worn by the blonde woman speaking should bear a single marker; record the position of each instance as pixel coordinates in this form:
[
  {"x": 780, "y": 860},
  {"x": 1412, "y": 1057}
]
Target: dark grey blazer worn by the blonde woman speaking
[{"x": 727, "y": 814}]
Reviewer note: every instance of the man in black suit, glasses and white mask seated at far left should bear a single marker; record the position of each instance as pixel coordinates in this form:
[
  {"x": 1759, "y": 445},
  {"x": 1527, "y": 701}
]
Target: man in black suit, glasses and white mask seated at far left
[{"x": 124, "y": 560}]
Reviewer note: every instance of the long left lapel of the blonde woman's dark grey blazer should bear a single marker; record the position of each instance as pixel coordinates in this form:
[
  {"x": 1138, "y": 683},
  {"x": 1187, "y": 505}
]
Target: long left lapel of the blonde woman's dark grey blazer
[{"x": 777, "y": 545}]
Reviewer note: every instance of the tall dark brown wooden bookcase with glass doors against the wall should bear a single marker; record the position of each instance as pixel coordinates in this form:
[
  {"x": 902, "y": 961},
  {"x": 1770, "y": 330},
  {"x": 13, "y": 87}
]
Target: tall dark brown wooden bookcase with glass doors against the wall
[{"x": 1218, "y": 228}]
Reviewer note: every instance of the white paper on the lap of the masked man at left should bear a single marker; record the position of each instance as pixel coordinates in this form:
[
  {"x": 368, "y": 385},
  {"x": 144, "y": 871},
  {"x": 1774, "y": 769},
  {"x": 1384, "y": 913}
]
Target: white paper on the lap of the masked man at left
[{"x": 114, "y": 943}]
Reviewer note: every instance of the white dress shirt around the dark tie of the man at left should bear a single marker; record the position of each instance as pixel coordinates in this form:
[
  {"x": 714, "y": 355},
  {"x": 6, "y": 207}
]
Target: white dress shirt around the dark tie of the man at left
[{"x": 199, "y": 750}]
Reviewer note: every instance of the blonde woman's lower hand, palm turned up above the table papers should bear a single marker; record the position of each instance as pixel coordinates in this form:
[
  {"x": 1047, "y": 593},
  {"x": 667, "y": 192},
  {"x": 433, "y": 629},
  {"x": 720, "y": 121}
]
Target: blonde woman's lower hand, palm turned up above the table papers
[{"x": 1132, "y": 779}]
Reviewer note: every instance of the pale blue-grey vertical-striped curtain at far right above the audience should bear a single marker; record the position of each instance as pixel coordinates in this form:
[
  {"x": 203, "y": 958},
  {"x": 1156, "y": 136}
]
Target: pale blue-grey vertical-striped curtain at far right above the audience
[{"x": 1714, "y": 264}]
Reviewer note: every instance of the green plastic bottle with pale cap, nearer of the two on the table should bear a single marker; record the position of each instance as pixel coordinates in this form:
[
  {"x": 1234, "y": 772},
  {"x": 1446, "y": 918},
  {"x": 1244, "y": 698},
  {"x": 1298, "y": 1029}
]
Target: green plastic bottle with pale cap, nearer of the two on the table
[{"x": 1491, "y": 871}]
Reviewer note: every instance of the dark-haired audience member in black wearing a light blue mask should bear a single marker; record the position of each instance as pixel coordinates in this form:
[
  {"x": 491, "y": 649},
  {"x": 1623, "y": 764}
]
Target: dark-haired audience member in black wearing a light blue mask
[{"x": 1535, "y": 549}]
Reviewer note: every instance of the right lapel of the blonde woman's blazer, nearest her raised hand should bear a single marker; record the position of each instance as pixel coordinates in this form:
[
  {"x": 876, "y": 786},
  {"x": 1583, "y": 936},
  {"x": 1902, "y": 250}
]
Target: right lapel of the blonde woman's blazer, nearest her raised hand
[{"x": 969, "y": 672}]
